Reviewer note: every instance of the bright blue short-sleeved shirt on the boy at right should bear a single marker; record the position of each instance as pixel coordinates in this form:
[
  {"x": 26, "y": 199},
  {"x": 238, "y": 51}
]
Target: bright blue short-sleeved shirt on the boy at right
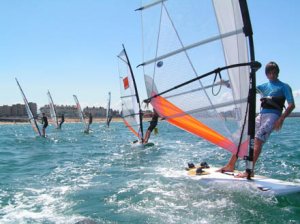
[{"x": 277, "y": 89}]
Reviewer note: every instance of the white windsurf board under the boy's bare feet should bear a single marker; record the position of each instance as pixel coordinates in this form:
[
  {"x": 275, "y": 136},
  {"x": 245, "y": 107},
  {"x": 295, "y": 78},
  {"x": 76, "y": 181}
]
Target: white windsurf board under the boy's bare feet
[{"x": 261, "y": 183}]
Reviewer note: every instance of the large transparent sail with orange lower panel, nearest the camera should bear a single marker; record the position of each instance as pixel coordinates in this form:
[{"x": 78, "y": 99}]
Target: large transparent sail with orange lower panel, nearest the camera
[{"x": 201, "y": 86}]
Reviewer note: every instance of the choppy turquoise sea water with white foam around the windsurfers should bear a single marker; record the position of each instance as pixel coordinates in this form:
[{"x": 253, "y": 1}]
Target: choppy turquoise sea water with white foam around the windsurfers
[{"x": 100, "y": 177}]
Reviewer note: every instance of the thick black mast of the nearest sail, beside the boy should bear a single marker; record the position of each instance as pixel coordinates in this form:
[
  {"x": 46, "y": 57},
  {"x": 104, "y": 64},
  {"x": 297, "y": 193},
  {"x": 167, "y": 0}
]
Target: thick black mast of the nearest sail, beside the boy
[{"x": 252, "y": 88}]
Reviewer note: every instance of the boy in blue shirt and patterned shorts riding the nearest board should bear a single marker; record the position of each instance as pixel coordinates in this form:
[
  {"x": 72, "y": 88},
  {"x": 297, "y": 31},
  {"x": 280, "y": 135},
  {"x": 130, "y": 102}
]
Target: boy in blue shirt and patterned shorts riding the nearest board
[{"x": 270, "y": 118}]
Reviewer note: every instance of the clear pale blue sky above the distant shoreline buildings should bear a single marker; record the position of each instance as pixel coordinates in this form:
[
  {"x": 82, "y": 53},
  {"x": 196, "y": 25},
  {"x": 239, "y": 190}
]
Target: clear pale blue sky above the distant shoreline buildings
[{"x": 71, "y": 46}]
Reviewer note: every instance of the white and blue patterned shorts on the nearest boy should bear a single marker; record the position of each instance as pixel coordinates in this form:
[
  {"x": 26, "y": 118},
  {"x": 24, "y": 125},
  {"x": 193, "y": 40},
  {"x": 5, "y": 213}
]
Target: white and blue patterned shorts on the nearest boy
[{"x": 264, "y": 124}]
